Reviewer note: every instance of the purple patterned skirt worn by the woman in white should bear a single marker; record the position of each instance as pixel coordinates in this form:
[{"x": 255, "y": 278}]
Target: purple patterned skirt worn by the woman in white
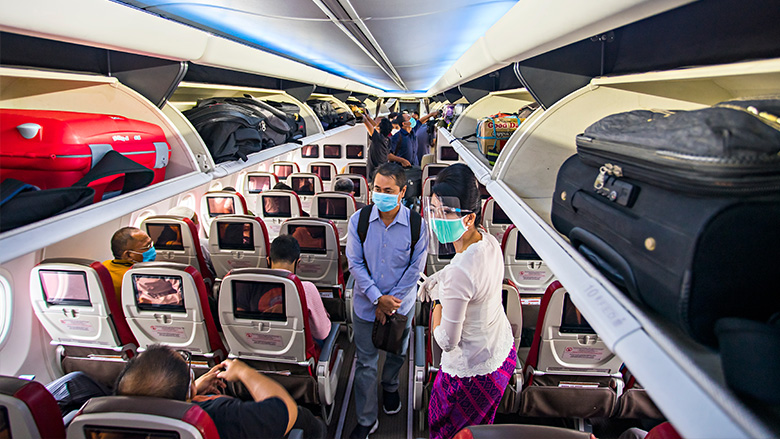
[{"x": 460, "y": 402}]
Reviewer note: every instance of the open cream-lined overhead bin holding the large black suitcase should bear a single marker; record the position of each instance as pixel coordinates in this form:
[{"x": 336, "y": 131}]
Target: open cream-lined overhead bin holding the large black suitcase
[{"x": 679, "y": 373}]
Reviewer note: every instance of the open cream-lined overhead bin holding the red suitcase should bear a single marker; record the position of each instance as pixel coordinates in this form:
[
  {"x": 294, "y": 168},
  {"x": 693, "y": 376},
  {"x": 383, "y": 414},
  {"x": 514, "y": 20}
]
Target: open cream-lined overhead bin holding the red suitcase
[{"x": 22, "y": 89}]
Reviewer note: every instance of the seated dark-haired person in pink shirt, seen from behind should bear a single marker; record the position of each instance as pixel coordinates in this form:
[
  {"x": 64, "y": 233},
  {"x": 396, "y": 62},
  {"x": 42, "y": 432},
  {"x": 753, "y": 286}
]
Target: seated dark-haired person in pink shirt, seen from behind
[{"x": 285, "y": 254}]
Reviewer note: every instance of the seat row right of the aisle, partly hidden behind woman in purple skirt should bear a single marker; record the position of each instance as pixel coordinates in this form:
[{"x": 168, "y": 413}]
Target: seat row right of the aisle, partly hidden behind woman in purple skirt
[{"x": 564, "y": 369}]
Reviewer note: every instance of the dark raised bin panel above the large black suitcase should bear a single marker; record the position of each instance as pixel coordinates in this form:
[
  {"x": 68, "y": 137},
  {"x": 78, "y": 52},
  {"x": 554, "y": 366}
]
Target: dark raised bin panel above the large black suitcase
[{"x": 700, "y": 33}]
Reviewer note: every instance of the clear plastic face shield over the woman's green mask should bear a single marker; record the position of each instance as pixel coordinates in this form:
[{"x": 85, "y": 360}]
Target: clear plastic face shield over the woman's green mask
[{"x": 446, "y": 223}]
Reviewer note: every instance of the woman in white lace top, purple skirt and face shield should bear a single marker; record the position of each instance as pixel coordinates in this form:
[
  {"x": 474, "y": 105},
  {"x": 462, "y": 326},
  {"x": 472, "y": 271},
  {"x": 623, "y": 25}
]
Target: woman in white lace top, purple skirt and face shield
[{"x": 468, "y": 321}]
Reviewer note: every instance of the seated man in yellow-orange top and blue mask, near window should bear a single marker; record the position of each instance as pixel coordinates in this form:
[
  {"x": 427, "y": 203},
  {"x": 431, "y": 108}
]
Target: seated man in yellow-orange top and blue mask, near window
[{"x": 128, "y": 245}]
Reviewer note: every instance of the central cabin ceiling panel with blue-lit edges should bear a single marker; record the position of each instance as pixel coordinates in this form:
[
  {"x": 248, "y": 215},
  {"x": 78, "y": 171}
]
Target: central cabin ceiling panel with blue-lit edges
[{"x": 397, "y": 45}]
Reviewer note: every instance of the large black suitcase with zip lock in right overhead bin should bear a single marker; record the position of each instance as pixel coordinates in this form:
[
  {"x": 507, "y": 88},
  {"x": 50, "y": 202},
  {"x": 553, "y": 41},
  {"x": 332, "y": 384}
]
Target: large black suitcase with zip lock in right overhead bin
[{"x": 681, "y": 209}]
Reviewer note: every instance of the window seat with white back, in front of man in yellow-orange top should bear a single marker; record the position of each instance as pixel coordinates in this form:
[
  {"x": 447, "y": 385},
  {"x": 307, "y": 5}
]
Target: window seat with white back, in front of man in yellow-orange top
[{"x": 75, "y": 302}]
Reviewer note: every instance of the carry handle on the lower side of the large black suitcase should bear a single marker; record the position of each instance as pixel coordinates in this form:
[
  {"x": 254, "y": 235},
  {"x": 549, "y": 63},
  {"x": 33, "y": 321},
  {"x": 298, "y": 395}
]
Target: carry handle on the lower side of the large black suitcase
[{"x": 606, "y": 259}]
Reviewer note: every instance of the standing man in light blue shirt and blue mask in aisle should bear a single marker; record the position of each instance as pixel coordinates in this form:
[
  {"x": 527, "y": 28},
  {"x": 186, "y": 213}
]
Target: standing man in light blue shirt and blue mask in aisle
[{"x": 386, "y": 269}]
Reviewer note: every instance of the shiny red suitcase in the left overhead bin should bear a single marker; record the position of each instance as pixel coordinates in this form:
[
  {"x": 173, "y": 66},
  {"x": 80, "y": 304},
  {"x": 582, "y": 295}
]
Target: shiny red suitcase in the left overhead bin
[{"x": 54, "y": 149}]
